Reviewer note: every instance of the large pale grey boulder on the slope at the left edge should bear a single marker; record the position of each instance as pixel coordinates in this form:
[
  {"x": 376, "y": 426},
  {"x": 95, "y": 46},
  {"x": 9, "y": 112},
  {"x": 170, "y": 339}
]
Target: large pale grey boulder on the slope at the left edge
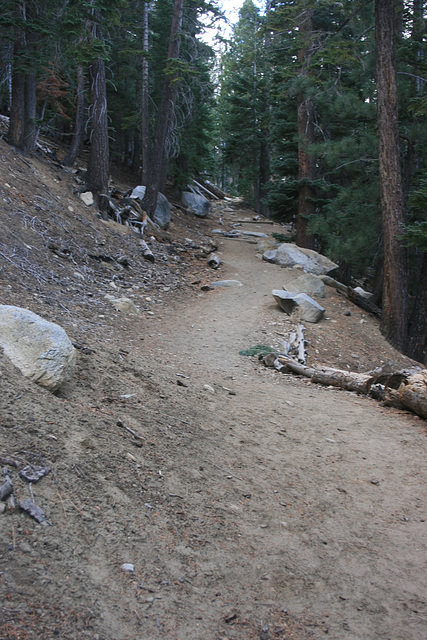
[{"x": 41, "y": 350}]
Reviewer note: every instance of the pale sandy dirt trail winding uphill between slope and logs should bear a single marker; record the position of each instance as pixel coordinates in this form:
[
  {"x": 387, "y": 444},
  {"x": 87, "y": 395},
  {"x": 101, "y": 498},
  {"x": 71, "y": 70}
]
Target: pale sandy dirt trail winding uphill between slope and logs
[{"x": 325, "y": 488}]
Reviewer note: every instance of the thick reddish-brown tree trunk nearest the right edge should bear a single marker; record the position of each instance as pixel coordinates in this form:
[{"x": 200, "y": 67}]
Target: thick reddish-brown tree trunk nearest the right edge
[{"x": 395, "y": 295}]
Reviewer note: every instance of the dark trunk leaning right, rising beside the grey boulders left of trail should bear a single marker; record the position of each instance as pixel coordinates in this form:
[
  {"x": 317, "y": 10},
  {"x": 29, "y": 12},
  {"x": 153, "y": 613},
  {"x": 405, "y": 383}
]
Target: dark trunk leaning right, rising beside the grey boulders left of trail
[{"x": 159, "y": 158}]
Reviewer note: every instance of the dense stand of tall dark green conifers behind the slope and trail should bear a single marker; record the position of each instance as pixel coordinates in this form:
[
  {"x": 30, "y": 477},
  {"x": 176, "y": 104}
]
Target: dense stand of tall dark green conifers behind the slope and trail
[{"x": 313, "y": 110}]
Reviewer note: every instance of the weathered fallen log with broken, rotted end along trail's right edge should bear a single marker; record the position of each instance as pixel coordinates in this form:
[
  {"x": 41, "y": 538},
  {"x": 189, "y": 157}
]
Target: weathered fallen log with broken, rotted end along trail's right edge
[{"x": 406, "y": 388}]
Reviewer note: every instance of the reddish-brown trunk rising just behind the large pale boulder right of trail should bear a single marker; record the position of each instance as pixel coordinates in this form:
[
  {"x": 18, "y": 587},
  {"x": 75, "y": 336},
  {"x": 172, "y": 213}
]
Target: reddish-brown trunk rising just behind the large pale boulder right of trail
[{"x": 305, "y": 115}]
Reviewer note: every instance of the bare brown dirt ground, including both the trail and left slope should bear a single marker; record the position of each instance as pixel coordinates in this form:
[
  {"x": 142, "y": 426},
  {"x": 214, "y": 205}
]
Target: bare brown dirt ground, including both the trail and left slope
[{"x": 253, "y": 504}]
